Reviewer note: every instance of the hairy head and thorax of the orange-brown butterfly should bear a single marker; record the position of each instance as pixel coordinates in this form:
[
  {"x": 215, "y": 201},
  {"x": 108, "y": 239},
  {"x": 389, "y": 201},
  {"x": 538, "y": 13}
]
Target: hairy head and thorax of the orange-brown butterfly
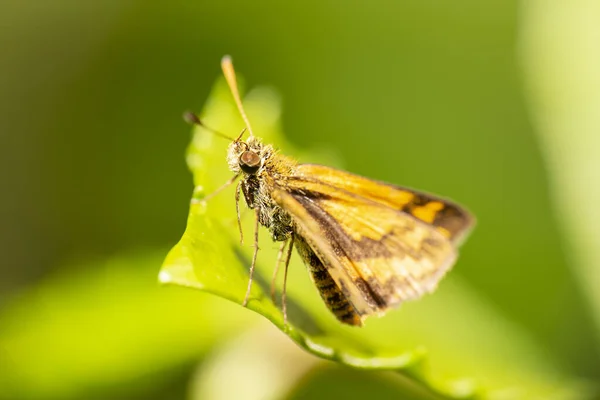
[{"x": 258, "y": 183}]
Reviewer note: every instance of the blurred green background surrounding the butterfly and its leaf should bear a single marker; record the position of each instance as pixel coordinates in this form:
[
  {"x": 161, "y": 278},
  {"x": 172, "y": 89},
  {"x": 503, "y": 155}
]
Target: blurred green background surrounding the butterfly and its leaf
[{"x": 494, "y": 104}]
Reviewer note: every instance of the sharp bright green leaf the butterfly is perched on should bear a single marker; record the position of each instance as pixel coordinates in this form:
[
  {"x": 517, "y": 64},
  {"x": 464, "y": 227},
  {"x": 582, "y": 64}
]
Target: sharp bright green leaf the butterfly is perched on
[{"x": 451, "y": 342}]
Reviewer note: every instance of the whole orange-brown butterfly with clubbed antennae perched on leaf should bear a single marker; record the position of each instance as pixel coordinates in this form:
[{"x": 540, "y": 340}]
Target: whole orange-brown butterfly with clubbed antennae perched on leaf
[{"x": 368, "y": 245}]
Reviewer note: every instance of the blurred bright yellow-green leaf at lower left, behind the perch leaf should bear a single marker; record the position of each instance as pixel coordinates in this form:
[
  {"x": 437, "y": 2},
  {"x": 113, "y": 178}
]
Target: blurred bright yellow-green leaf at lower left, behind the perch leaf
[{"x": 102, "y": 329}]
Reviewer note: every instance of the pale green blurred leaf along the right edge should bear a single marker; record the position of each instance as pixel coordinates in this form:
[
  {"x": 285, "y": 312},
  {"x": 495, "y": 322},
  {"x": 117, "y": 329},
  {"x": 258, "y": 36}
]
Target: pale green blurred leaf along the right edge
[{"x": 562, "y": 64}]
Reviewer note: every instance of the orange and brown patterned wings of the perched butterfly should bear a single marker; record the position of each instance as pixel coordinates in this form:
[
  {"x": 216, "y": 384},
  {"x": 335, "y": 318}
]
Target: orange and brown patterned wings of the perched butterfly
[{"x": 377, "y": 251}]
